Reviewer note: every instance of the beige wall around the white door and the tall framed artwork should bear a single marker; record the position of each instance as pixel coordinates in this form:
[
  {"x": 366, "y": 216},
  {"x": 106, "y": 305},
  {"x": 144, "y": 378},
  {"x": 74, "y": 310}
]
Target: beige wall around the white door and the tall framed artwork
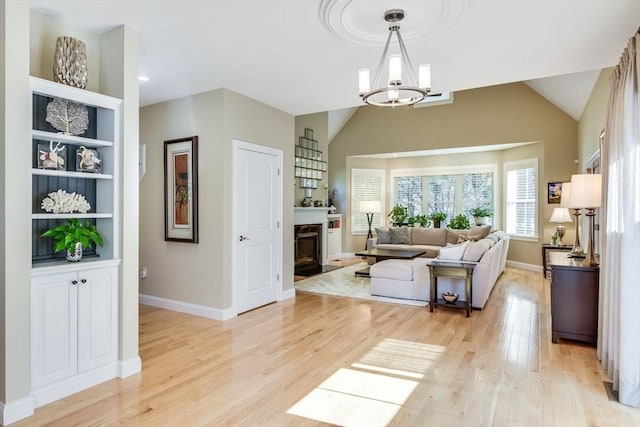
[{"x": 201, "y": 273}]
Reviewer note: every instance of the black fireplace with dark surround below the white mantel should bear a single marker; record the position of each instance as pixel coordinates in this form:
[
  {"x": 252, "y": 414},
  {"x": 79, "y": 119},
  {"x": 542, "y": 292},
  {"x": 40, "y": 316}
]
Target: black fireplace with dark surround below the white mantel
[{"x": 308, "y": 249}]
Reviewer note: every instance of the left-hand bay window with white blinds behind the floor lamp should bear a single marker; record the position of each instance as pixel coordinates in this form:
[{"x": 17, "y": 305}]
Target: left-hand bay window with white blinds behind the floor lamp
[{"x": 366, "y": 185}]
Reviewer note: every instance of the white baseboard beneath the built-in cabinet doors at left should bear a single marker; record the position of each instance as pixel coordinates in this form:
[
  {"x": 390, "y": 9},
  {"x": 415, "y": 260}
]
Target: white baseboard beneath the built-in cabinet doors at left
[{"x": 74, "y": 384}]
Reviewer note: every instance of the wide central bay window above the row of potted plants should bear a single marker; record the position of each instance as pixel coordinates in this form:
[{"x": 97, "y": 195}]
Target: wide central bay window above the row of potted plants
[{"x": 452, "y": 190}]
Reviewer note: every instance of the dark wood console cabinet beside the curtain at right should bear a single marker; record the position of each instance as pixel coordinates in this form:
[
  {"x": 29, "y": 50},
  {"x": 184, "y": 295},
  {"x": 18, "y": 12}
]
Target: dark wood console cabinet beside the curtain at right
[{"x": 574, "y": 299}]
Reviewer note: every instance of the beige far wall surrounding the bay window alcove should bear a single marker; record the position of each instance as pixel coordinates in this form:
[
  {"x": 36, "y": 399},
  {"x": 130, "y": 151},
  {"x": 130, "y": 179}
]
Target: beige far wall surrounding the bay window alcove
[{"x": 486, "y": 116}]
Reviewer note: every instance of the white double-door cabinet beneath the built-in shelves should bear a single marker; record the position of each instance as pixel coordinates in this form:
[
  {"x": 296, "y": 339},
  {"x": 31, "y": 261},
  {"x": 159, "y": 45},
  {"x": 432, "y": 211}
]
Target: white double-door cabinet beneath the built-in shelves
[{"x": 74, "y": 323}]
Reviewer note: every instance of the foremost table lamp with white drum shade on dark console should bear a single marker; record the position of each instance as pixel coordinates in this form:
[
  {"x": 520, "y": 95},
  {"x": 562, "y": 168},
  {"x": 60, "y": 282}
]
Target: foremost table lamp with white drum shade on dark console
[{"x": 586, "y": 192}]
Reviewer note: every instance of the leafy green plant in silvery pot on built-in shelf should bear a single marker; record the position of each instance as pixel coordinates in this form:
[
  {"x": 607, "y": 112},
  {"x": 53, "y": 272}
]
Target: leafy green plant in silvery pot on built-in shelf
[{"x": 74, "y": 236}]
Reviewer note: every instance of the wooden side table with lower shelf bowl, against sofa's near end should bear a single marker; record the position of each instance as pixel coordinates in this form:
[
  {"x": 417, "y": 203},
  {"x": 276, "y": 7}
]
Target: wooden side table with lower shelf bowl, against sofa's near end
[{"x": 456, "y": 270}]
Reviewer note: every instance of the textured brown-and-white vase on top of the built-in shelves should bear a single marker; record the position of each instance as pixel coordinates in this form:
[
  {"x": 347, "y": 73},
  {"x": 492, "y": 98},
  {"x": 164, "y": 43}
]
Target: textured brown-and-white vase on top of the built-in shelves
[{"x": 70, "y": 62}]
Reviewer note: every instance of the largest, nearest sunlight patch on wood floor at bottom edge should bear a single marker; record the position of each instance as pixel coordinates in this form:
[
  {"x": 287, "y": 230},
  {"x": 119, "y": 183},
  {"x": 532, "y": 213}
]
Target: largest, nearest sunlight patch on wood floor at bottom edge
[{"x": 355, "y": 398}]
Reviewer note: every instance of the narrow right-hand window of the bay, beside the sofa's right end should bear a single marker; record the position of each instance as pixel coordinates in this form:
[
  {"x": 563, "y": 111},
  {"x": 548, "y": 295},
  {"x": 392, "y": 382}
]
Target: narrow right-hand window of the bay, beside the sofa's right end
[{"x": 521, "y": 180}]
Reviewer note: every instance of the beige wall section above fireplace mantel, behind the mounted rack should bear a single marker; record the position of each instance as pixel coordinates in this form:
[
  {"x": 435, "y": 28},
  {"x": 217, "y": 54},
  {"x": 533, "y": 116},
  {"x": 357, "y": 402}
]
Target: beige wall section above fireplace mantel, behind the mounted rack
[{"x": 319, "y": 123}]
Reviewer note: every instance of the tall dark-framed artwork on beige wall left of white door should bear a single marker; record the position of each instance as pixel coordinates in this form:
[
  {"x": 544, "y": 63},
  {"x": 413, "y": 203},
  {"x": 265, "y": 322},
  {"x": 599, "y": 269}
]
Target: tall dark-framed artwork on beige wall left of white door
[{"x": 181, "y": 190}]
